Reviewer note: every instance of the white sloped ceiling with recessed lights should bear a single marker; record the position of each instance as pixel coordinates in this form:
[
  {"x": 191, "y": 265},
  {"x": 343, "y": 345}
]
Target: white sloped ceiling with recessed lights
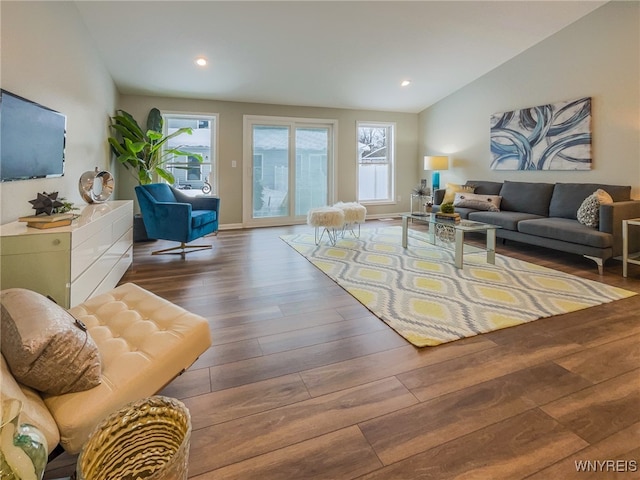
[{"x": 317, "y": 53}]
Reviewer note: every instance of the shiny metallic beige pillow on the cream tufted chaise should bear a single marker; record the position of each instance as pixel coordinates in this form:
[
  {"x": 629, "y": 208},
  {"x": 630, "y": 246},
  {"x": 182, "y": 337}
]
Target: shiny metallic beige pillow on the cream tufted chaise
[{"x": 44, "y": 346}]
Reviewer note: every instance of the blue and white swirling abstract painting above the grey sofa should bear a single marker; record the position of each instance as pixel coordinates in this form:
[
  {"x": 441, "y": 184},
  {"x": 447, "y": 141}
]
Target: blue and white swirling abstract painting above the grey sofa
[{"x": 556, "y": 136}]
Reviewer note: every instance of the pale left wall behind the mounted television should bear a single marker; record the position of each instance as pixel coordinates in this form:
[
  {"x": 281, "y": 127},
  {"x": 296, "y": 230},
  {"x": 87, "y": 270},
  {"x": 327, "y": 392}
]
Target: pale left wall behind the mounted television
[{"x": 48, "y": 57}]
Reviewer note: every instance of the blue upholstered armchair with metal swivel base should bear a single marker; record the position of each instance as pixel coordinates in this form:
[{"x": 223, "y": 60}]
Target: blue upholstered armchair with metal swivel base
[{"x": 169, "y": 214}]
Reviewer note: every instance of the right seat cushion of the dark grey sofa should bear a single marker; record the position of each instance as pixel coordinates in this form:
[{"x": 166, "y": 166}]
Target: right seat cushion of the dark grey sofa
[{"x": 567, "y": 230}]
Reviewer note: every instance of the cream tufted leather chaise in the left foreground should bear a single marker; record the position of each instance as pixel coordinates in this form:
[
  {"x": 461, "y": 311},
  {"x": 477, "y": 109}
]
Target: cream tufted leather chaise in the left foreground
[{"x": 144, "y": 341}]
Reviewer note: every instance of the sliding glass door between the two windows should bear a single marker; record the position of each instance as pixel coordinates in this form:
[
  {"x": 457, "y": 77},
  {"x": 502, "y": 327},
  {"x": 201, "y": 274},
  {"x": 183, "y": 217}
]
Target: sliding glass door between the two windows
[{"x": 288, "y": 169}]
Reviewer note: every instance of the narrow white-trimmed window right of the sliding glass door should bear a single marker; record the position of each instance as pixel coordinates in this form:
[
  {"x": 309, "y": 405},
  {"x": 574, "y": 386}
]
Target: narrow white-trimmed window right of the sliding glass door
[{"x": 376, "y": 166}]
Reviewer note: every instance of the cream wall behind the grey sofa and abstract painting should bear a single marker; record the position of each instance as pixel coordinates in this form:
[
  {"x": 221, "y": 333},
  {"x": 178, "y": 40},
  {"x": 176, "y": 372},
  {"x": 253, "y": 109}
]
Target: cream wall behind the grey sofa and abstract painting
[{"x": 597, "y": 56}]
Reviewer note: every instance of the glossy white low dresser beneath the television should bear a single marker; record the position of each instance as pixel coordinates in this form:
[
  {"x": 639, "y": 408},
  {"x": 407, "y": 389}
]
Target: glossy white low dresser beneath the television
[{"x": 71, "y": 263}]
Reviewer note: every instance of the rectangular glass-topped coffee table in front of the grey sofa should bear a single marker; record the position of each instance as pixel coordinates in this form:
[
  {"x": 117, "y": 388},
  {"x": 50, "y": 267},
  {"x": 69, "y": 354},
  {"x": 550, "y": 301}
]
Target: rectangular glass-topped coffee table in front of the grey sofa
[{"x": 455, "y": 232}]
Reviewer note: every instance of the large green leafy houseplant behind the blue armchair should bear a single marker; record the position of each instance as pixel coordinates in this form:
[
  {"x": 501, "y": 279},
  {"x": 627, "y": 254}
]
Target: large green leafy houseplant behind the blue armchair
[{"x": 145, "y": 153}]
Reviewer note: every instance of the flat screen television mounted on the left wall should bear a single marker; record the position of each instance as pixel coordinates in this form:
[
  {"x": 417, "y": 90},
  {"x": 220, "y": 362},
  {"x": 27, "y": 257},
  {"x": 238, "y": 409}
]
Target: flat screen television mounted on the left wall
[{"x": 32, "y": 139}]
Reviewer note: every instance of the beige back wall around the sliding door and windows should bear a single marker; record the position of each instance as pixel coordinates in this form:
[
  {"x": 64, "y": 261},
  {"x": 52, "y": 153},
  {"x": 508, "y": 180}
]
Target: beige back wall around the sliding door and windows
[{"x": 231, "y": 142}]
